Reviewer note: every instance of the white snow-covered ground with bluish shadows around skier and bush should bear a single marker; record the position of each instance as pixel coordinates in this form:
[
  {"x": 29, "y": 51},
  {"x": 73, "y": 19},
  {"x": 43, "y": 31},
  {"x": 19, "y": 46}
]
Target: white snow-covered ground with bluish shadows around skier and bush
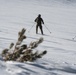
[{"x": 59, "y": 16}]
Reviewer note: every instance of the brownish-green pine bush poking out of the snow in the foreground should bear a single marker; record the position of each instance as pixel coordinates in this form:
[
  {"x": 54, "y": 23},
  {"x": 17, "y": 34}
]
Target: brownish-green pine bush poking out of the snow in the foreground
[{"x": 22, "y": 53}]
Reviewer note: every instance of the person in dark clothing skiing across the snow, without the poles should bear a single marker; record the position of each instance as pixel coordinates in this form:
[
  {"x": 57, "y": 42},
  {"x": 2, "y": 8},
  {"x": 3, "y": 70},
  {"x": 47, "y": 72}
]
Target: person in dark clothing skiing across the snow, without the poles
[{"x": 39, "y": 22}]
